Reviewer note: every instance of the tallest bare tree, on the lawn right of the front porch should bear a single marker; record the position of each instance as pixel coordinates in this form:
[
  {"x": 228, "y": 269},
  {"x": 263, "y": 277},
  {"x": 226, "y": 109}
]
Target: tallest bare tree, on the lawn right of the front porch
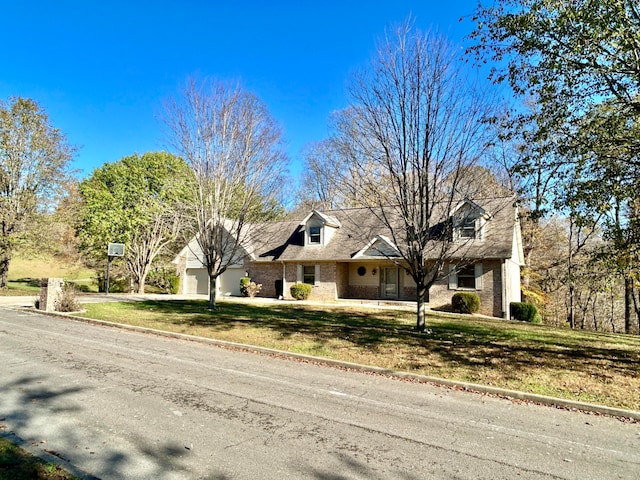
[{"x": 414, "y": 130}]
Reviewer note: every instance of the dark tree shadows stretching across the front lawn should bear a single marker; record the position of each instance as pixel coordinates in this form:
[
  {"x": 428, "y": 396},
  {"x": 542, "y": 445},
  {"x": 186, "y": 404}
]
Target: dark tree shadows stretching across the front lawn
[{"x": 469, "y": 342}]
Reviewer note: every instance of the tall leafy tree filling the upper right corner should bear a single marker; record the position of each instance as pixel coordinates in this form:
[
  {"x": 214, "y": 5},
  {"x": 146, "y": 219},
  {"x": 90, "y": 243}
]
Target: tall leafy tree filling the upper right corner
[{"x": 580, "y": 62}]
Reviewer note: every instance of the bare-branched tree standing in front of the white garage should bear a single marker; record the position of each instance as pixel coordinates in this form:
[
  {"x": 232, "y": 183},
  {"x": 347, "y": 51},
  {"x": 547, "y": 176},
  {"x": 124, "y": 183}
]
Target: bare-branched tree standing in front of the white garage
[{"x": 235, "y": 148}]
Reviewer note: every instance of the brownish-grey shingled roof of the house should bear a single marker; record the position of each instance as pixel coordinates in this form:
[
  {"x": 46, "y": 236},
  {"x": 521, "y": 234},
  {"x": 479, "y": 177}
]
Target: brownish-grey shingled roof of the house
[{"x": 356, "y": 228}]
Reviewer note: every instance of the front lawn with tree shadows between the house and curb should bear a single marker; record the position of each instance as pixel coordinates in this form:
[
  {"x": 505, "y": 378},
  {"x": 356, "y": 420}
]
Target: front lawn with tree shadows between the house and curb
[{"x": 579, "y": 365}]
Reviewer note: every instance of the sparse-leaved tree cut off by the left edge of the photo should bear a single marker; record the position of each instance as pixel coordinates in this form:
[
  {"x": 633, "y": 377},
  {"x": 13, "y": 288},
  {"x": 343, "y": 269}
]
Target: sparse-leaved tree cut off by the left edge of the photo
[{"x": 34, "y": 163}]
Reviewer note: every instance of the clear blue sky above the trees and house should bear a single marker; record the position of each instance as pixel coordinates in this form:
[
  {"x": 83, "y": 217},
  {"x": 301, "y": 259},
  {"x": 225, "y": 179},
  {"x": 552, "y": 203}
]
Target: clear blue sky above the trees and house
[{"x": 102, "y": 69}]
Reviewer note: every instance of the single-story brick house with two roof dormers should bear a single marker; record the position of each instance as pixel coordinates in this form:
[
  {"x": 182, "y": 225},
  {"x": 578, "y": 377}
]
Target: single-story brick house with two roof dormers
[{"x": 348, "y": 254}]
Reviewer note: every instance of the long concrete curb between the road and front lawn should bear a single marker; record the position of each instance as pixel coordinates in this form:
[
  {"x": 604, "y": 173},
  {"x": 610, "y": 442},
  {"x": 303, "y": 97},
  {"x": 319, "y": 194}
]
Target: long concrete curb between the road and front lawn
[{"x": 466, "y": 386}]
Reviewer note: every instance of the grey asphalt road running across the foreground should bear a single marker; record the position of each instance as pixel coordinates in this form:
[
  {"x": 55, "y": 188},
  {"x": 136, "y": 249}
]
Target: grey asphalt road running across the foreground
[{"x": 120, "y": 404}]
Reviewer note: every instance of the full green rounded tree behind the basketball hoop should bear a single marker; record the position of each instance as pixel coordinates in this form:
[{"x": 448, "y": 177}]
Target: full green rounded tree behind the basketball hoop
[{"x": 136, "y": 201}]
